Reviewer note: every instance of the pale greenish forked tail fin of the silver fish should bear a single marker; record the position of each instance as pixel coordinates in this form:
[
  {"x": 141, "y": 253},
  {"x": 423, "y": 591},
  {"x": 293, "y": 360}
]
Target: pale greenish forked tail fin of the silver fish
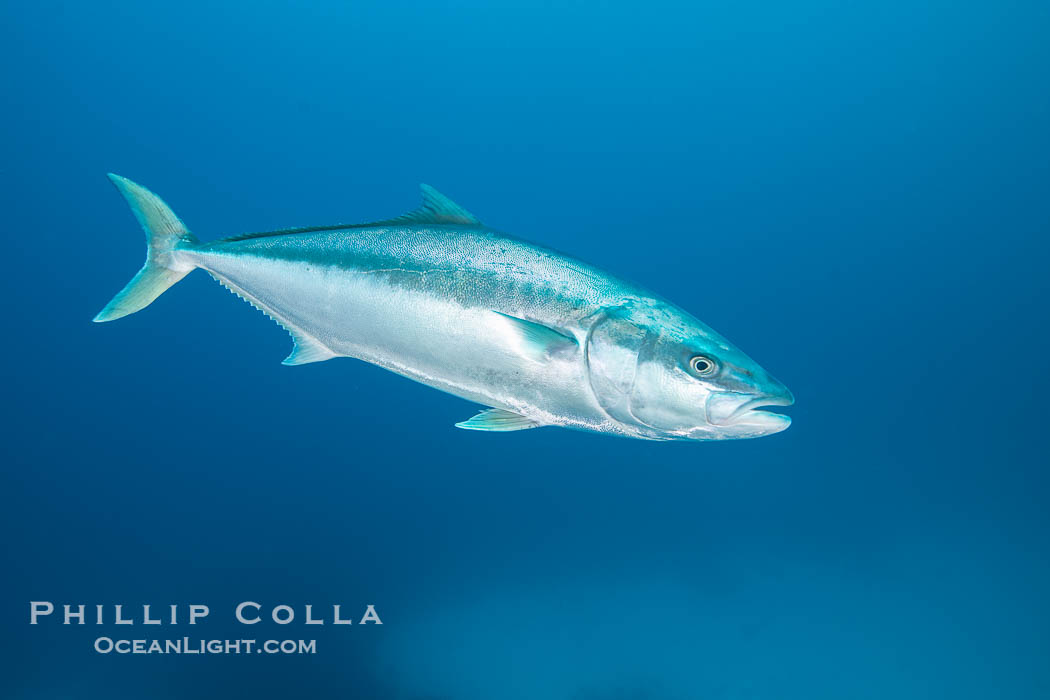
[{"x": 165, "y": 236}]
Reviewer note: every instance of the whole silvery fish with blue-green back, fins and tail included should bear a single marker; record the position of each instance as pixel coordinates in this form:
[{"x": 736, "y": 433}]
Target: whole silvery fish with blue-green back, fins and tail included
[{"x": 538, "y": 337}]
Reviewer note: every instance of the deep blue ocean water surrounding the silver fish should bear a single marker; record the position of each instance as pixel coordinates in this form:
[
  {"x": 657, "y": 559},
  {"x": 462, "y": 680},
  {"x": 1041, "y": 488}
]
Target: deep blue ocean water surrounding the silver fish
[{"x": 855, "y": 194}]
